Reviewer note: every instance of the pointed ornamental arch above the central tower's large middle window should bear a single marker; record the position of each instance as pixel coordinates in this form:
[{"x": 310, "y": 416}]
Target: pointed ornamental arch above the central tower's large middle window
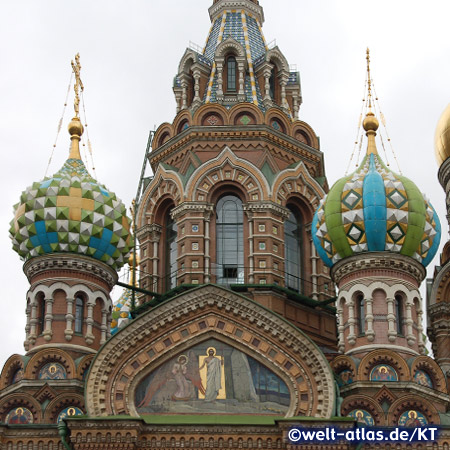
[{"x": 227, "y": 168}]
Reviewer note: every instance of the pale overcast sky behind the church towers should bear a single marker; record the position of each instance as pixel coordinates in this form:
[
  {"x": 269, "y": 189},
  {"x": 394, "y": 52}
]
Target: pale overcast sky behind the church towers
[{"x": 130, "y": 52}]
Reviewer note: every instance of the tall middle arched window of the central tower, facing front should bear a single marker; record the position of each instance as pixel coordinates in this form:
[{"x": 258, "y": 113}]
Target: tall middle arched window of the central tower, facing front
[{"x": 230, "y": 240}]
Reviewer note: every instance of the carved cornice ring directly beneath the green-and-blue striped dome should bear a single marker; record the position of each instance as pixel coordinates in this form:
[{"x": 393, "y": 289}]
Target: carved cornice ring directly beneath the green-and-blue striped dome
[{"x": 381, "y": 260}]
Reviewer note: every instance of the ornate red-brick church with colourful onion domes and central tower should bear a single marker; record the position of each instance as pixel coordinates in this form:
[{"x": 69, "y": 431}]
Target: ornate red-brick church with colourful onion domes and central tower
[{"x": 263, "y": 300}]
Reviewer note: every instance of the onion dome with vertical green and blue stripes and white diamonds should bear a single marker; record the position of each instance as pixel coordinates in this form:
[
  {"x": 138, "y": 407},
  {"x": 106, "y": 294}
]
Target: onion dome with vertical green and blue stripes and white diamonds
[{"x": 375, "y": 210}]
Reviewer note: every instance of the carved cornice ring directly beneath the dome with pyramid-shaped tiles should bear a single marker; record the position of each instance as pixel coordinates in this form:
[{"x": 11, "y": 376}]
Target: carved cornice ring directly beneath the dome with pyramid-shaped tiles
[{"x": 70, "y": 262}]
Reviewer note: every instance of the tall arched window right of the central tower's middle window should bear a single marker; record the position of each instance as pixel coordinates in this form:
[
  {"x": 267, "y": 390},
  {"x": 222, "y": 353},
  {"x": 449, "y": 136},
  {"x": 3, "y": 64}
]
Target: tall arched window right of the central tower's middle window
[{"x": 293, "y": 250}]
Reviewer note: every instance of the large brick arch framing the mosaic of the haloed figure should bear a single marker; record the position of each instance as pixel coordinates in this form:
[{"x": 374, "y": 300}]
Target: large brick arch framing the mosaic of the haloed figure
[{"x": 150, "y": 340}]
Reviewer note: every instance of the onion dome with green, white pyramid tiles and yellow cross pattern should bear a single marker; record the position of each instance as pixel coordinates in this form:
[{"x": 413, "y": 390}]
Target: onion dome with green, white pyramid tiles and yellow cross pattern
[{"x": 71, "y": 213}]
